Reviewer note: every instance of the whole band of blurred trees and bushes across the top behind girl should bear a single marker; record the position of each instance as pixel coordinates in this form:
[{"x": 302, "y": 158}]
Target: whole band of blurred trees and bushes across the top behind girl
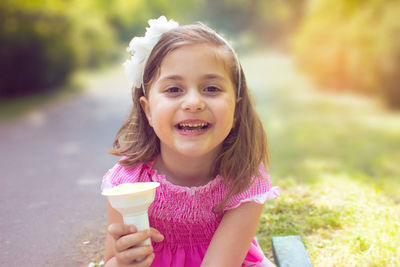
[{"x": 341, "y": 45}]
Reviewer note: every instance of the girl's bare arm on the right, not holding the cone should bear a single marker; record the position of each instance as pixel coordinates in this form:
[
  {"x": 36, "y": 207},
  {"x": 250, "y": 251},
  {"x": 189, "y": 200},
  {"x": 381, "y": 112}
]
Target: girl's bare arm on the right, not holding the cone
[{"x": 232, "y": 239}]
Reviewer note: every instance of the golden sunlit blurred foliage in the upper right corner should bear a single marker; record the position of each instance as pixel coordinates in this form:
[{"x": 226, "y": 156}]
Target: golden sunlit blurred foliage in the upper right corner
[{"x": 352, "y": 45}]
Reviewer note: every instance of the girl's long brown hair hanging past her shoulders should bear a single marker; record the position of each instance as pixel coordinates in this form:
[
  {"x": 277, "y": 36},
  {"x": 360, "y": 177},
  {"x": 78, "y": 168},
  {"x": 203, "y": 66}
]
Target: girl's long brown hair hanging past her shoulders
[{"x": 243, "y": 150}]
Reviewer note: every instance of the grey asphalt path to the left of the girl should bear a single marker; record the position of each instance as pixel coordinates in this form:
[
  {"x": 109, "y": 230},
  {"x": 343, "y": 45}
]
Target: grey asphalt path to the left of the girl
[{"x": 51, "y": 164}]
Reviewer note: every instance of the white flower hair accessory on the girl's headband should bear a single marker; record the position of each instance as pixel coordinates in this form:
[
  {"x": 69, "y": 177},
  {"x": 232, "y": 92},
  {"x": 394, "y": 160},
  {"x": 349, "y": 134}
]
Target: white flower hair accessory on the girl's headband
[{"x": 141, "y": 47}]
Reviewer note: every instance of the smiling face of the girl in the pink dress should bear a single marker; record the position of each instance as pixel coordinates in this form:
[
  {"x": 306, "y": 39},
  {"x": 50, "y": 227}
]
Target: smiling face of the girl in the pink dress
[{"x": 191, "y": 103}]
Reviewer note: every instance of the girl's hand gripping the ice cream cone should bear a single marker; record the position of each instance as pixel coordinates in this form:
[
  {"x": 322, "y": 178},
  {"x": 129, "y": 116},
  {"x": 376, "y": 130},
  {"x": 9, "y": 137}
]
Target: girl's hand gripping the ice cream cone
[{"x": 126, "y": 238}]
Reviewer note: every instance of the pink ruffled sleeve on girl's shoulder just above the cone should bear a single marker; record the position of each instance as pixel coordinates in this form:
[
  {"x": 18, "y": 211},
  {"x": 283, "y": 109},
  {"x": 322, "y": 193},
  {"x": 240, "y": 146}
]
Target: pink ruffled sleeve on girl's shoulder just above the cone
[{"x": 119, "y": 174}]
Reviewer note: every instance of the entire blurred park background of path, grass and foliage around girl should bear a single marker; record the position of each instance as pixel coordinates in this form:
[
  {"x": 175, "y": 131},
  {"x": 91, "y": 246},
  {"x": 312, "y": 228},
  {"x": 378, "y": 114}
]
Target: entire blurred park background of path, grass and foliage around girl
[{"x": 326, "y": 79}]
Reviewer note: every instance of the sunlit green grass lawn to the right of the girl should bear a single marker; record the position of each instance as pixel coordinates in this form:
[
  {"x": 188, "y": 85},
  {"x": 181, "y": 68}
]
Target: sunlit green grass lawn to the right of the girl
[{"x": 336, "y": 159}]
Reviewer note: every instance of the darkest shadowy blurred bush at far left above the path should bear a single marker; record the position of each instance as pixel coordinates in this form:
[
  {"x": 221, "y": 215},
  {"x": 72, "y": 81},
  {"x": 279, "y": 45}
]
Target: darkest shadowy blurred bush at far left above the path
[{"x": 33, "y": 51}]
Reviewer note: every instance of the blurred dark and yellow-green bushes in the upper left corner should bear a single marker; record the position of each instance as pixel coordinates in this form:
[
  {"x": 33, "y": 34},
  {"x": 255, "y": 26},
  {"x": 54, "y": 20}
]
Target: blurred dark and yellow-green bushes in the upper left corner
[{"x": 43, "y": 41}]
